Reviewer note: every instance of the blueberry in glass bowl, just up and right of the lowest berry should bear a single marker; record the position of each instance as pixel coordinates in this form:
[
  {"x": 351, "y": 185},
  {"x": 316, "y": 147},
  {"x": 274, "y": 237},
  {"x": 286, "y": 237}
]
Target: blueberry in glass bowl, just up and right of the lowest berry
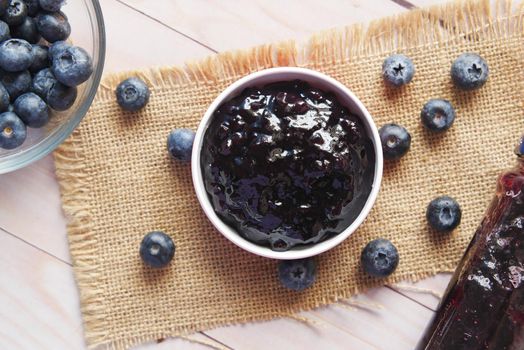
[{"x": 32, "y": 110}]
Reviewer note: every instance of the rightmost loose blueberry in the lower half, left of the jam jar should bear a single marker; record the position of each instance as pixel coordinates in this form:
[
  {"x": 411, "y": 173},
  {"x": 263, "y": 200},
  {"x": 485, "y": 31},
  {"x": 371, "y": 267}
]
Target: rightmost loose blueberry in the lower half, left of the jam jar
[{"x": 443, "y": 214}]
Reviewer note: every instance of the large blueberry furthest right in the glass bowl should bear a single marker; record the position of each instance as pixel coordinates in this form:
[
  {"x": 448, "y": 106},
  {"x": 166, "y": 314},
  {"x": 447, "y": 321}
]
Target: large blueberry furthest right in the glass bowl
[{"x": 72, "y": 66}]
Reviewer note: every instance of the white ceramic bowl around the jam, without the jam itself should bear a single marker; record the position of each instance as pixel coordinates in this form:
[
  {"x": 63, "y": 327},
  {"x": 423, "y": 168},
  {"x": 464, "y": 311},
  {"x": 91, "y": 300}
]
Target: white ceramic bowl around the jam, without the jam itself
[{"x": 316, "y": 79}]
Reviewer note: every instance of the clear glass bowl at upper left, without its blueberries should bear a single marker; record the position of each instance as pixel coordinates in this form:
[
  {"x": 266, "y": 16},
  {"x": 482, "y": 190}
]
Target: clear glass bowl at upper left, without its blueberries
[{"x": 87, "y": 31}]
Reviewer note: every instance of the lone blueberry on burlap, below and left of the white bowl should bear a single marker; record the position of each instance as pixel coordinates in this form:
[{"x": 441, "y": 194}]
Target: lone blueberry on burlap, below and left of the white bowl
[{"x": 157, "y": 249}]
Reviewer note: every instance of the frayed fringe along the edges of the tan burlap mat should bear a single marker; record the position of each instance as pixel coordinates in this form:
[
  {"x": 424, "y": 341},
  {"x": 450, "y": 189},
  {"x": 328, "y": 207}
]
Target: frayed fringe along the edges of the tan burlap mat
[{"x": 459, "y": 22}]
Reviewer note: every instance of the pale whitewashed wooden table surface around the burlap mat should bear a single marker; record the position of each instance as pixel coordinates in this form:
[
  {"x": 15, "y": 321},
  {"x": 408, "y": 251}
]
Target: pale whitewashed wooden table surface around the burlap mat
[{"x": 39, "y": 306}]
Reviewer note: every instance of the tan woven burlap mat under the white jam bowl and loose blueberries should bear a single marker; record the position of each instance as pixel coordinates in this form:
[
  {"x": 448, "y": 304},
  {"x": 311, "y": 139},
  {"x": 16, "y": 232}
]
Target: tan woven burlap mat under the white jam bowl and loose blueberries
[{"x": 118, "y": 182}]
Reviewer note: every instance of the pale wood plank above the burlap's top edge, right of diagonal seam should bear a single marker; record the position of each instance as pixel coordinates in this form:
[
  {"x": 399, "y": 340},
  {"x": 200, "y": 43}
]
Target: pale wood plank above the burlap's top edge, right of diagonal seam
[{"x": 230, "y": 24}]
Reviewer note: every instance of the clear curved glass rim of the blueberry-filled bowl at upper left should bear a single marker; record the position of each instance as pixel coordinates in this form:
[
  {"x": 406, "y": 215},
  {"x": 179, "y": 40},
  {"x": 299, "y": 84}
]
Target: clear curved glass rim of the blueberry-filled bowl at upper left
[{"x": 58, "y": 135}]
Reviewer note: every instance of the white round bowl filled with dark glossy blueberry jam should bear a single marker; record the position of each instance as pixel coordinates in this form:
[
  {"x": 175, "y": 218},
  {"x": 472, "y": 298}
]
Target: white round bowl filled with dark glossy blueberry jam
[{"x": 287, "y": 163}]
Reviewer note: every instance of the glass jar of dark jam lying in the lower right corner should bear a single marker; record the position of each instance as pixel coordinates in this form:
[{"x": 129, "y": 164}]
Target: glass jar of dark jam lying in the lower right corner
[{"x": 484, "y": 305}]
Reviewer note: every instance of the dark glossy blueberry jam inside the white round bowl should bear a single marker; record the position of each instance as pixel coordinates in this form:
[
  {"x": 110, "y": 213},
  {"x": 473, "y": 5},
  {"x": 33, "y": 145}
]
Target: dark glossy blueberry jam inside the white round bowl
[{"x": 287, "y": 164}]
